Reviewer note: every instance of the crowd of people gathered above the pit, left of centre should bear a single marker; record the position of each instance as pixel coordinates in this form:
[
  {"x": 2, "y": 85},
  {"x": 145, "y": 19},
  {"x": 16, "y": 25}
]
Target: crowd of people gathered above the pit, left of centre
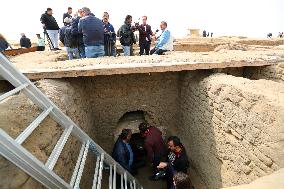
[{"x": 86, "y": 36}]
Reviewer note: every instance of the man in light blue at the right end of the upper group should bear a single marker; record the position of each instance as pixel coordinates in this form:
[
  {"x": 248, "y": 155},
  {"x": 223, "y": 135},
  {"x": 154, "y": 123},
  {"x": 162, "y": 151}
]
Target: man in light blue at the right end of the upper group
[{"x": 165, "y": 41}]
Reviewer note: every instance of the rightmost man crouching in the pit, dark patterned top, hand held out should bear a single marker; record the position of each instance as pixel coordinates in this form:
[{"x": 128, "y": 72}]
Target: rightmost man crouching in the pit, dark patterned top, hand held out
[{"x": 177, "y": 160}]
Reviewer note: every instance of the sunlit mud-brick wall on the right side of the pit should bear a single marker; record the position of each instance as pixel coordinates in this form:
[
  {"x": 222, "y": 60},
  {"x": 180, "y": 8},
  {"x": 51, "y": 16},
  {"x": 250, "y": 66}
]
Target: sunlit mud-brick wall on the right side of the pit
[{"x": 232, "y": 127}]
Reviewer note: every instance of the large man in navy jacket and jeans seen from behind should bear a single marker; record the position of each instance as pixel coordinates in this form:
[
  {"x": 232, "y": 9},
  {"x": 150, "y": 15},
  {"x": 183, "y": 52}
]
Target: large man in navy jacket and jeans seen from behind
[{"x": 93, "y": 34}]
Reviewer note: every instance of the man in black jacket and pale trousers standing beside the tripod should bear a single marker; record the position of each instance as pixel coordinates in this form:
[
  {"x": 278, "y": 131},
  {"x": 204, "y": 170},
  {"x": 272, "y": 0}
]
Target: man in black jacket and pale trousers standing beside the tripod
[{"x": 50, "y": 25}]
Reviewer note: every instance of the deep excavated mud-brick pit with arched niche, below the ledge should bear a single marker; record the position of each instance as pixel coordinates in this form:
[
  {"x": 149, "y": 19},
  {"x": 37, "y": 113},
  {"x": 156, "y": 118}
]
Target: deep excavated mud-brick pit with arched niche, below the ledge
[{"x": 228, "y": 124}]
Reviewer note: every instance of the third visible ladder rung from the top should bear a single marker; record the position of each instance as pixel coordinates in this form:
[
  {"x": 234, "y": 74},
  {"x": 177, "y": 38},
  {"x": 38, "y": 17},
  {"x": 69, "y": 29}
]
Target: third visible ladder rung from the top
[{"x": 58, "y": 148}]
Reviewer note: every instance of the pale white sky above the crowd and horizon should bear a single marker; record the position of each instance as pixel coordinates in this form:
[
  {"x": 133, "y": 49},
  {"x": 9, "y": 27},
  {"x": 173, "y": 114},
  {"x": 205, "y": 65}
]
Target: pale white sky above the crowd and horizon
[{"x": 253, "y": 18}]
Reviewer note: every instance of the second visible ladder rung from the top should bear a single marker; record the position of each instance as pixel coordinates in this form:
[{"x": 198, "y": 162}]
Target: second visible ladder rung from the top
[{"x": 26, "y": 133}]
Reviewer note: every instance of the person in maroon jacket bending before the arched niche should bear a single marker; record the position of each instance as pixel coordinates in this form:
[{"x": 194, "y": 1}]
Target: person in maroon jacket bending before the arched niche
[{"x": 154, "y": 145}]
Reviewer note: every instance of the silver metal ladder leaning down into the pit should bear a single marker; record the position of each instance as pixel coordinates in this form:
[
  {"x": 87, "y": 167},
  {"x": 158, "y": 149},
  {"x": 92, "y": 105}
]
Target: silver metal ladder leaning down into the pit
[{"x": 13, "y": 150}]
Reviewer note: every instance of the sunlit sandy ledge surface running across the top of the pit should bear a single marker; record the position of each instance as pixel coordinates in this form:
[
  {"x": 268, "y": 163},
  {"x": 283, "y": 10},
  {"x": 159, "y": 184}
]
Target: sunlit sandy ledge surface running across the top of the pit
[{"x": 51, "y": 60}]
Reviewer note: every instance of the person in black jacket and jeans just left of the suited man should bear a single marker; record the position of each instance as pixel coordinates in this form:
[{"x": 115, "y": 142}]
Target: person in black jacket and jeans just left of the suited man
[{"x": 126, "y": 35}]
